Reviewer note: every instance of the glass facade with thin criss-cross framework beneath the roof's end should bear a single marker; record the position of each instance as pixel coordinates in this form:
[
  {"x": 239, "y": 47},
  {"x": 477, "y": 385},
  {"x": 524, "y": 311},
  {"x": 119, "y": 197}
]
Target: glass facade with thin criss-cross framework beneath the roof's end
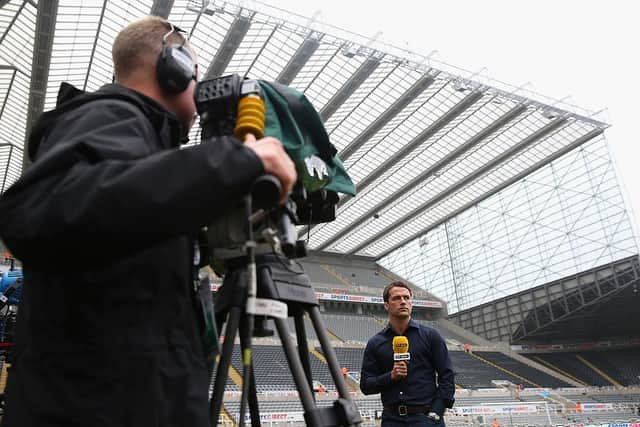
[{"x": 565, "y": 218}]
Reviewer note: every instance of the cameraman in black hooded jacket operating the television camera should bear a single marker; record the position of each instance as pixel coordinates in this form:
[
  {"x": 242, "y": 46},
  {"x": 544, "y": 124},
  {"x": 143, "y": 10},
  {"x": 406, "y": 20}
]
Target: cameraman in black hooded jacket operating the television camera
[{"x": 105, "y": 223}]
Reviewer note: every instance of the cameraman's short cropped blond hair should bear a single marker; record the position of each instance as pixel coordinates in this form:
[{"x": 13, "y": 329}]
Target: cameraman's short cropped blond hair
[{"x": 139, "y": 44}]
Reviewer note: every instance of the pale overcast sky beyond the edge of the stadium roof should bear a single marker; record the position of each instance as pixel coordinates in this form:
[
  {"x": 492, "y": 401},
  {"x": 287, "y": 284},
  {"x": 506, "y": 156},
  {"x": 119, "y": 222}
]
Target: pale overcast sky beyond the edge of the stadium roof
[{"x": 587, "y": 50}]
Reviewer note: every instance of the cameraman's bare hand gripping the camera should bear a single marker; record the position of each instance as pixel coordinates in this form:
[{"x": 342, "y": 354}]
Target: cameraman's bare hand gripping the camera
[{"x": 275, "y": 160}]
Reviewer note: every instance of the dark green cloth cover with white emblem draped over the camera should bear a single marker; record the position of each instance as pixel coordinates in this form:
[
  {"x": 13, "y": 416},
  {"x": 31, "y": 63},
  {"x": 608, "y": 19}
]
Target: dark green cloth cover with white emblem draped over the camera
[{"x": 291, "y": 118}]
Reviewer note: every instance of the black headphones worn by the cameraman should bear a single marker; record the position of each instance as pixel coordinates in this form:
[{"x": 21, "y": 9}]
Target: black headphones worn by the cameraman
[{"x": 175, "y": 68}]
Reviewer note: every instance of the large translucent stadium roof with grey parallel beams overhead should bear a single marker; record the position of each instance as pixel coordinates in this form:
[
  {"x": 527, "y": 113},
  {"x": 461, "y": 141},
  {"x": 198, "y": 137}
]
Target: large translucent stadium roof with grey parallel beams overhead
[{"x": 421, "y": 139}]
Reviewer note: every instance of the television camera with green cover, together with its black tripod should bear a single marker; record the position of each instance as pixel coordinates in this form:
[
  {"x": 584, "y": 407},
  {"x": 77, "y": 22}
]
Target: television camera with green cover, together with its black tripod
[{"x": 255, "y": 244}]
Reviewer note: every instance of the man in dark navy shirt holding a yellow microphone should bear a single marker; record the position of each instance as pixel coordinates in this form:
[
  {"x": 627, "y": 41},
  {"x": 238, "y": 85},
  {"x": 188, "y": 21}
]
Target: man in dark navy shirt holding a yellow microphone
[{"x": 409, "y": 365}]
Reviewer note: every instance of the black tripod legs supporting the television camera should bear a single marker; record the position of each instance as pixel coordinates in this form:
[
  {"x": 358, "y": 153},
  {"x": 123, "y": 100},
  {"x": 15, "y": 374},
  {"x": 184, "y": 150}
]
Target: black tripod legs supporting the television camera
[{"x": 276, "y": 281}]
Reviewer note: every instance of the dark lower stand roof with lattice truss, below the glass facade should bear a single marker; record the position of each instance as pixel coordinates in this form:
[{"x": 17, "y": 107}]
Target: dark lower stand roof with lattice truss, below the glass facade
[{"x": 596, "y": 304}]
